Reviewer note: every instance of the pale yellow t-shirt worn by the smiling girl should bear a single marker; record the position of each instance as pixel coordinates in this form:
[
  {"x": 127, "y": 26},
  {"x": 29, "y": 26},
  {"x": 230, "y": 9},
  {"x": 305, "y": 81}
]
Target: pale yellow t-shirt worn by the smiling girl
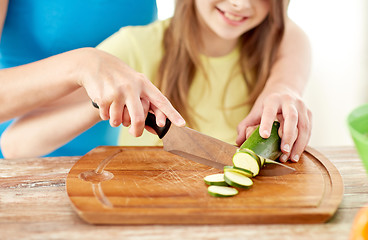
[{"x": 216, "y": 100}]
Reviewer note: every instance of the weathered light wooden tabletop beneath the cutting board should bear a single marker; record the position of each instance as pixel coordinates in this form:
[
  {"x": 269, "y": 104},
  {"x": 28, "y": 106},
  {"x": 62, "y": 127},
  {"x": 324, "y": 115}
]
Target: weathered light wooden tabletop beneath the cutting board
[{"x": 34, "y": 205}]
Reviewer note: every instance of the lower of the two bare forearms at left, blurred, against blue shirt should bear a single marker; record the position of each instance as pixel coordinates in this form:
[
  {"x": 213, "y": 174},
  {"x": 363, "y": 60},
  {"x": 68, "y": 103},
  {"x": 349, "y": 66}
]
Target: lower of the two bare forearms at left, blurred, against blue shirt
[{"x": 44, "y": 130}]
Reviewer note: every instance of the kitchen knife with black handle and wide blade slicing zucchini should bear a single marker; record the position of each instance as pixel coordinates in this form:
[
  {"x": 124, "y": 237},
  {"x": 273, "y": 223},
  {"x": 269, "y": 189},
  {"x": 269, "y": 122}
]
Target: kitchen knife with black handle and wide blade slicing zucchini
[{"x": 198, "y": 147}]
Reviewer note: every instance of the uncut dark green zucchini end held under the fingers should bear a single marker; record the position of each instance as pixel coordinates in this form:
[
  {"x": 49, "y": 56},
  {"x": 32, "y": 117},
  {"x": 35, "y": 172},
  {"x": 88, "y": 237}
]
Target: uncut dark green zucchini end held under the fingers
[{"x": 268, "y": 148}]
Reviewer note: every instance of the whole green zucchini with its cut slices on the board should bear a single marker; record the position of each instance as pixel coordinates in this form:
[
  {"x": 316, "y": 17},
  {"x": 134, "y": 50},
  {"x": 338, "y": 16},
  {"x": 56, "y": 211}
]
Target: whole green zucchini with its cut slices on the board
[{"x": 248, "y": 162}]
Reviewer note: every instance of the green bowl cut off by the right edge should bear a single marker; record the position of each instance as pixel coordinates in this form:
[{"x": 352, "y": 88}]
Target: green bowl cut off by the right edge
[{"x": 358, "y": 126}]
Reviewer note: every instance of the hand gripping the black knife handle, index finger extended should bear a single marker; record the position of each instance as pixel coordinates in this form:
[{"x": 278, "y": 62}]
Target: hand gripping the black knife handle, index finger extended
[{"x": 123, "y": 94}]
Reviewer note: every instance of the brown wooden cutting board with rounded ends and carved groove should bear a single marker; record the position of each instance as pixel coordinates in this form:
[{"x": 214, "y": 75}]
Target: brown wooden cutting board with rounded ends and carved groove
[{"x": 146, "y": 185}]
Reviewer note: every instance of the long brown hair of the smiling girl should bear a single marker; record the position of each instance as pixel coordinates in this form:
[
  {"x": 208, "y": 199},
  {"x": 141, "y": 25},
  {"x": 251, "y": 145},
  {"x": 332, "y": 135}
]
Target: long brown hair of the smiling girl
[{"x": 182, "y": 45}]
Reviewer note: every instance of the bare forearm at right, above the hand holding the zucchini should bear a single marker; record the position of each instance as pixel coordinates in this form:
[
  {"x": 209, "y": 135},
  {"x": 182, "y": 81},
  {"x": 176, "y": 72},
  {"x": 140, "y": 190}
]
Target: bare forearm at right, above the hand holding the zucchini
[{"x": 292, "y": 67}]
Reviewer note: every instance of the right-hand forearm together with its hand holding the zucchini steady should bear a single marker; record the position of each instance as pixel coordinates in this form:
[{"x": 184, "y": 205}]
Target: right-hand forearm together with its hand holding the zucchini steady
[{"x": 281, "y": 97}]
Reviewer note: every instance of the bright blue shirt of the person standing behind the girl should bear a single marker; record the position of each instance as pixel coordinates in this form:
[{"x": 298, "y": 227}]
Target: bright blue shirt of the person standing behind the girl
[{"x": 37, "y": 29}]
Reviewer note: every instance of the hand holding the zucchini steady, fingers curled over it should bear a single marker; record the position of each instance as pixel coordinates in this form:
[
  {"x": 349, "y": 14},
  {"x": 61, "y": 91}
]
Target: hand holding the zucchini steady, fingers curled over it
[{"x": 294, "y": 117}]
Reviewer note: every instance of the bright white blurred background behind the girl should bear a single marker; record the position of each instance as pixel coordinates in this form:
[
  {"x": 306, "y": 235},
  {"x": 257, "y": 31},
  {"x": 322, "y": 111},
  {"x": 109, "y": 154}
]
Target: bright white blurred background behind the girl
[{"x": 338, "y": 32}]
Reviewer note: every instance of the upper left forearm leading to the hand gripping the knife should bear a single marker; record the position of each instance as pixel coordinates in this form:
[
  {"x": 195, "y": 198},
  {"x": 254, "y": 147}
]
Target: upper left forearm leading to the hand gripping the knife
[{"x": 30, "y": 86}]
